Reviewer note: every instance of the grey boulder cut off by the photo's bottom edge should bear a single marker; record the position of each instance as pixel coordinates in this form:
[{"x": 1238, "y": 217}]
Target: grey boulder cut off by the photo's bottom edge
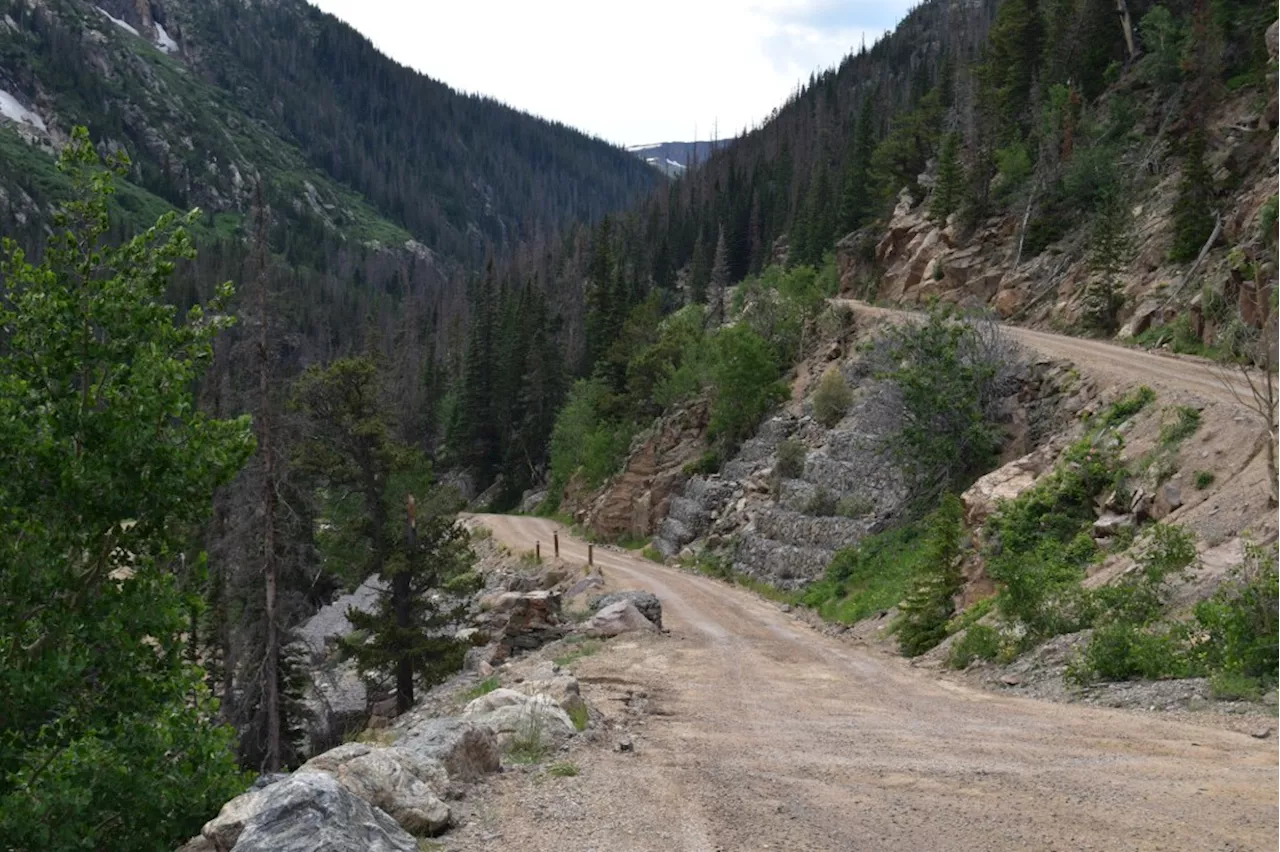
[{"x": 312, "y": 812}]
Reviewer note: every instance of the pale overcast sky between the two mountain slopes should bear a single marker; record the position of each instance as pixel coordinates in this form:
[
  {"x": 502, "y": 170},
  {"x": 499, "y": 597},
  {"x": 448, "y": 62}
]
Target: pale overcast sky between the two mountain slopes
[{"x": 639, "y": 72}]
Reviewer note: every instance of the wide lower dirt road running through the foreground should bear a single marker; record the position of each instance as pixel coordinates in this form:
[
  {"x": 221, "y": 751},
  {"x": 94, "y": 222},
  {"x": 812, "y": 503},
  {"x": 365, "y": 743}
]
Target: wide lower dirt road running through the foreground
[{"x": 770, "y": 736}]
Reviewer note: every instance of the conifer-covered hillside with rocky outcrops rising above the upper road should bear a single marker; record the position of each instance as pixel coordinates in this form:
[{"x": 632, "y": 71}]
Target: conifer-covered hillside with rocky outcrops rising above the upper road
[{"x": 993, "y": 154}]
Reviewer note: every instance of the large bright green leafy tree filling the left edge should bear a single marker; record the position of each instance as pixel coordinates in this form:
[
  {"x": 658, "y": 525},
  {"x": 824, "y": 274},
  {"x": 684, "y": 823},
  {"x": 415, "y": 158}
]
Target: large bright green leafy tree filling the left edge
[{"x": 109, "y": 741}]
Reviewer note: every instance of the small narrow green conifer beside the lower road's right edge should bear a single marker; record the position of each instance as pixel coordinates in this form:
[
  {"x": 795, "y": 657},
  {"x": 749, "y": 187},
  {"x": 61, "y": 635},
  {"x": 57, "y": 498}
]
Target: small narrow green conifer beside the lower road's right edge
[{"x": 930, "y": 607}]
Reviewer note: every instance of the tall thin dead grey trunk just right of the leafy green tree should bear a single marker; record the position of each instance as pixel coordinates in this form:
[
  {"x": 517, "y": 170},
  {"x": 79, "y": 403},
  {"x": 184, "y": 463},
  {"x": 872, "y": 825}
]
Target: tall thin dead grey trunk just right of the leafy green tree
[{"x": 271, "y": 566}]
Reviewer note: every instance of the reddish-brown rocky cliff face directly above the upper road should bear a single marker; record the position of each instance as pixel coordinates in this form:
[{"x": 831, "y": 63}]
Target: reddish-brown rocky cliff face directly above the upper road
[{"x": 991, "y": 265}]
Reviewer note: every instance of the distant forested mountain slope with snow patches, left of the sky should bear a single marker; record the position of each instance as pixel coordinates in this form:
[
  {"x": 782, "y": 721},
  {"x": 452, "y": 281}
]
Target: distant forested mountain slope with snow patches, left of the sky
[{"x": 204, "y": 95}]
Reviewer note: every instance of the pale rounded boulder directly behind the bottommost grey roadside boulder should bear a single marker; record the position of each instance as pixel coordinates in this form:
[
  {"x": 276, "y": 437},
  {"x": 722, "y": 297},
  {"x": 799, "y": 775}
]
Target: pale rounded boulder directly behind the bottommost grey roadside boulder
[{"x": 405, "y": 786}]
